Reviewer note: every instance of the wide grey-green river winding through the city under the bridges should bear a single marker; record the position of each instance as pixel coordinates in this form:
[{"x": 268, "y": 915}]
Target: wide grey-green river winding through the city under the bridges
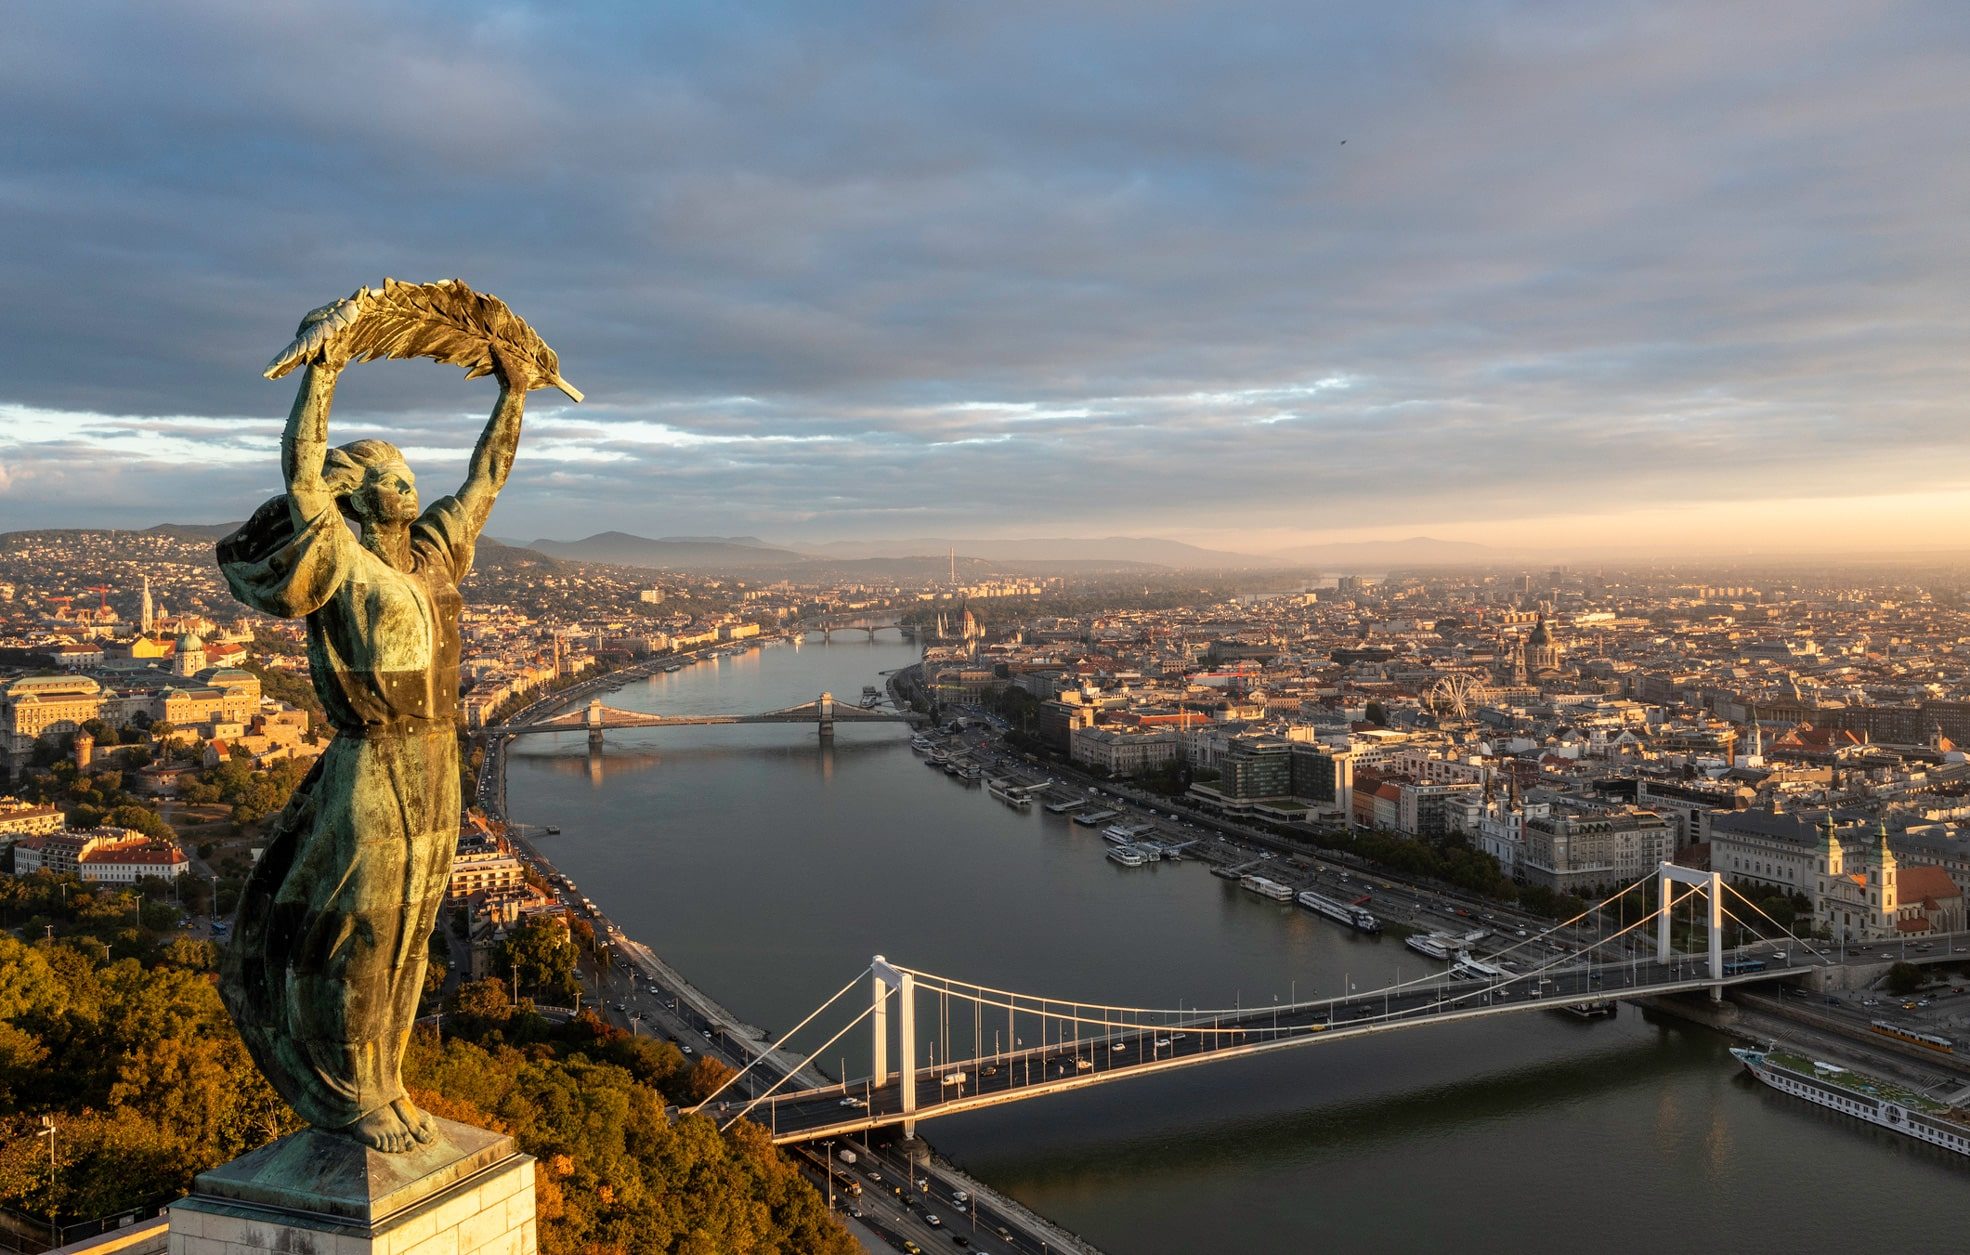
[{"x": 769, "y": 870}]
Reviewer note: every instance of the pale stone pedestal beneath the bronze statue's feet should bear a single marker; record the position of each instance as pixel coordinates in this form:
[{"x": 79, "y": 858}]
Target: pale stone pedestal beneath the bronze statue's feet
[{"x": 470, "y": 1193}]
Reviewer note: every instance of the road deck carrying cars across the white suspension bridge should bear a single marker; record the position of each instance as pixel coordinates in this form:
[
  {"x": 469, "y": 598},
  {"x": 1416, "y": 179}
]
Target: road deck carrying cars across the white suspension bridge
[{"x": 1033, "y": 1073}]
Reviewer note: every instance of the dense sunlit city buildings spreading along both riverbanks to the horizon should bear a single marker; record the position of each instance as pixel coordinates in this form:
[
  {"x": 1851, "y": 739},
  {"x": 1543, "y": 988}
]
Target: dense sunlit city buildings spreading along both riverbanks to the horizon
[{"x": 1522, "y": 742}]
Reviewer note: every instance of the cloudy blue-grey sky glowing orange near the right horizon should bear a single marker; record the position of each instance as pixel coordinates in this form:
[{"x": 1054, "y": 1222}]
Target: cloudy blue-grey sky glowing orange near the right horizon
[{"x": 1238, "y": 275}]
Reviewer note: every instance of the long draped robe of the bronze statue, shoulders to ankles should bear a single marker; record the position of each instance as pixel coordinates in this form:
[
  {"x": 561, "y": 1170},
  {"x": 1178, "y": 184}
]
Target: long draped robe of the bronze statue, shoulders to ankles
[{"x": 330, "y": 941}]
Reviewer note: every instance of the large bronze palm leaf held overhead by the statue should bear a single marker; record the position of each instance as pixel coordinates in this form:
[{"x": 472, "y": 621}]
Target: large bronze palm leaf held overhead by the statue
[{"x": 446, "y": 322}]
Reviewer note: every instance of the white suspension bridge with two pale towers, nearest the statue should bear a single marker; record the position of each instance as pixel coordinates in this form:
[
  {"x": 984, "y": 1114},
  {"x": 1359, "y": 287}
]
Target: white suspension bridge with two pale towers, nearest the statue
[{"x": 1014, "y": 1047}]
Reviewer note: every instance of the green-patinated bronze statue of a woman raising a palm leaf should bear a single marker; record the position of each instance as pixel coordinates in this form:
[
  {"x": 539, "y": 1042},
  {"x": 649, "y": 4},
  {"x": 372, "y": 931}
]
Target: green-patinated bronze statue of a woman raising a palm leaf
[{"x": 330, "y": 941}]
